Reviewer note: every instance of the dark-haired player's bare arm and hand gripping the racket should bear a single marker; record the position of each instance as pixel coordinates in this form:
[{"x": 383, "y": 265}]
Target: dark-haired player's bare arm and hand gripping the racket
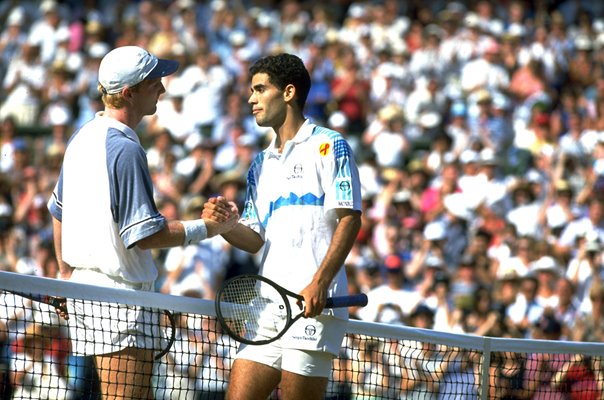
[{"x": 315, "y": 294}]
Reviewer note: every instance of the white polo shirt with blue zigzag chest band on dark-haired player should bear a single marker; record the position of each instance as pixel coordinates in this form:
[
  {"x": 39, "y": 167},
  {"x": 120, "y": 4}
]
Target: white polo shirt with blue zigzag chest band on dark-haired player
[{"x": 291, "y": 200}]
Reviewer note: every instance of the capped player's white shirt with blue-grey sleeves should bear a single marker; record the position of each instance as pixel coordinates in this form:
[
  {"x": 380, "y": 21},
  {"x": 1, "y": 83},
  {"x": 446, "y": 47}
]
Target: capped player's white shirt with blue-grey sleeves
[{"x": 104, "y": 199}]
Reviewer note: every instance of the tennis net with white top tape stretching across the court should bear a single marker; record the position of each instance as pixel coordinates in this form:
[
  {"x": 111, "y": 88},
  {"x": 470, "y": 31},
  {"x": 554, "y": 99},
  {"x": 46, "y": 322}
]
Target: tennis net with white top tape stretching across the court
[{"x": 39, "y": 359}]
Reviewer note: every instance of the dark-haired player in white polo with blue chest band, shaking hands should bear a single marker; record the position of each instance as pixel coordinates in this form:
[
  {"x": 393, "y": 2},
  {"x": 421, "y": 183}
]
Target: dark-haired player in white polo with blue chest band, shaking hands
[{"x": 303, "y": 208}]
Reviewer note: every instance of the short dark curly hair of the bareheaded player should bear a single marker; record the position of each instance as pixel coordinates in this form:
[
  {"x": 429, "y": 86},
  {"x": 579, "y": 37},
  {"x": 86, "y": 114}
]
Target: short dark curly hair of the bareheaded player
[{"x": 284, "y": 69}]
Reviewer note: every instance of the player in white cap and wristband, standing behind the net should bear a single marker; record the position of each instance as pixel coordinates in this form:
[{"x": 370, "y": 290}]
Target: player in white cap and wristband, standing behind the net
[{"x": 105, "y": 222}]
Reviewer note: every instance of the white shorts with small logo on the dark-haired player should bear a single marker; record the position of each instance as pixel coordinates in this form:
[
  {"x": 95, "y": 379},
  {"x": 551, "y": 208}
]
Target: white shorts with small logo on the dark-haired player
[{"x": 307, "y": 348}]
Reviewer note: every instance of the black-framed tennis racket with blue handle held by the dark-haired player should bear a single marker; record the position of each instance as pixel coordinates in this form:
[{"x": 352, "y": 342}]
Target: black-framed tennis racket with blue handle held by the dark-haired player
[{"x": 254, "y": 310}]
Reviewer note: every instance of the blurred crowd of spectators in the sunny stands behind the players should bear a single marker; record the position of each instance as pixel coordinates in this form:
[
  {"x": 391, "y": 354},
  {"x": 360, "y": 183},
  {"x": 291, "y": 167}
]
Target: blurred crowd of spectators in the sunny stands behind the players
[{"x": 478, "y": 128}]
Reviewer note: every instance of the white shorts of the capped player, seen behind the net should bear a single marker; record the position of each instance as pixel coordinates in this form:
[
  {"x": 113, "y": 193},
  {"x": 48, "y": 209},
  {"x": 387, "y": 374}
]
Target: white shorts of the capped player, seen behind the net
[{"x": 102, "y": 327}]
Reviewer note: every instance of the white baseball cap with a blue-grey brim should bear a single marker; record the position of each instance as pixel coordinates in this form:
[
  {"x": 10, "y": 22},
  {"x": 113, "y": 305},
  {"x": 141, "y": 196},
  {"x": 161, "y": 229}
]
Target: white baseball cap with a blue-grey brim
[{"x": 129, "y": 65}]
